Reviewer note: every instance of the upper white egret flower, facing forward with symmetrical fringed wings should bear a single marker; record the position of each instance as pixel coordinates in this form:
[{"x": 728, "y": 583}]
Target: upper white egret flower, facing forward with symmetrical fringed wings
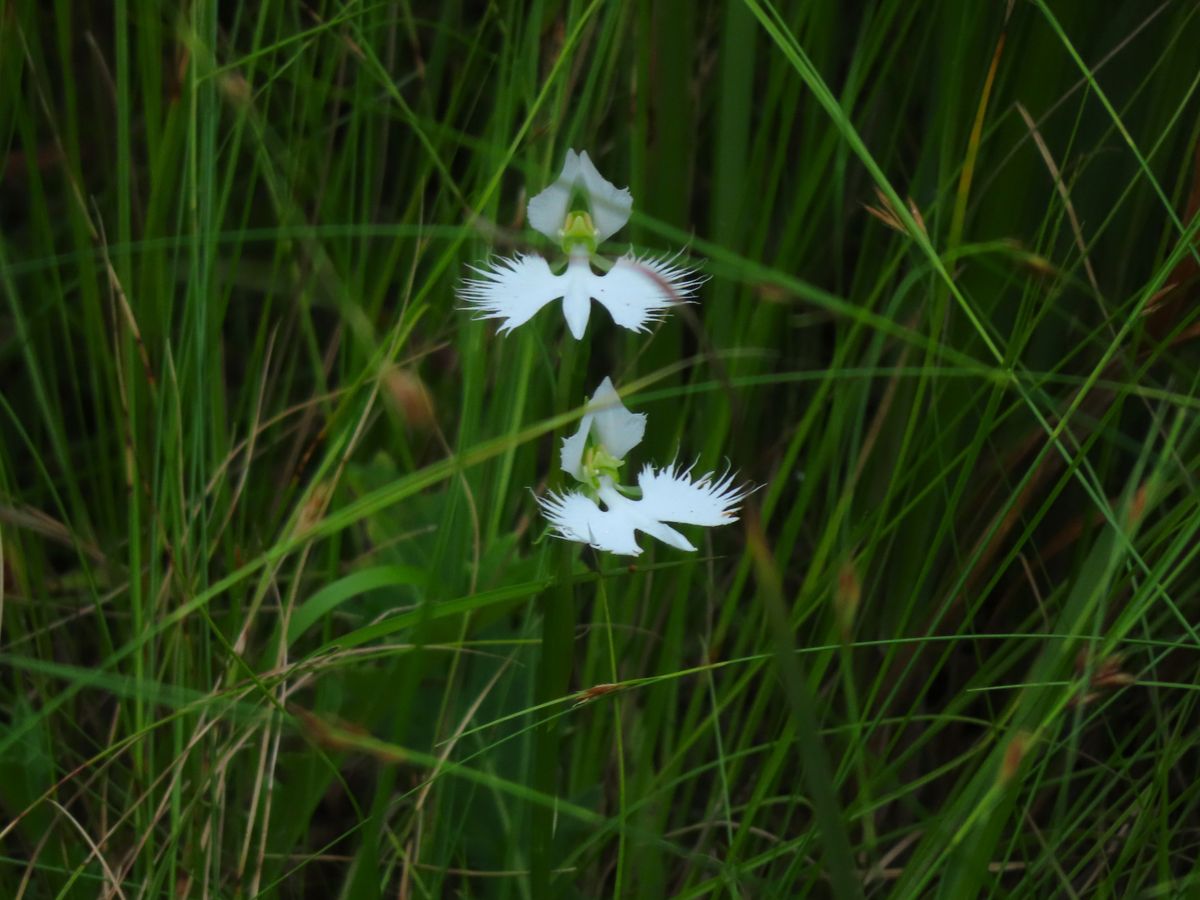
[{"x": 635, "y": 291}]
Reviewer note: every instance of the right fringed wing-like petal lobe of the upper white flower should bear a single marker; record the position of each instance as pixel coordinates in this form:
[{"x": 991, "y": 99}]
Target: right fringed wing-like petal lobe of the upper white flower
[{"x": 639, "y": 292}]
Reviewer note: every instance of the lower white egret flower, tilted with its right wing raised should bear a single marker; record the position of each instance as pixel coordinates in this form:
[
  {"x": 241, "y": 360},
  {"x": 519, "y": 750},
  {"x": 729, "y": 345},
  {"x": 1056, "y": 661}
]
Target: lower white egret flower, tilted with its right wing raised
[{"x": 596, "y": 454}]
